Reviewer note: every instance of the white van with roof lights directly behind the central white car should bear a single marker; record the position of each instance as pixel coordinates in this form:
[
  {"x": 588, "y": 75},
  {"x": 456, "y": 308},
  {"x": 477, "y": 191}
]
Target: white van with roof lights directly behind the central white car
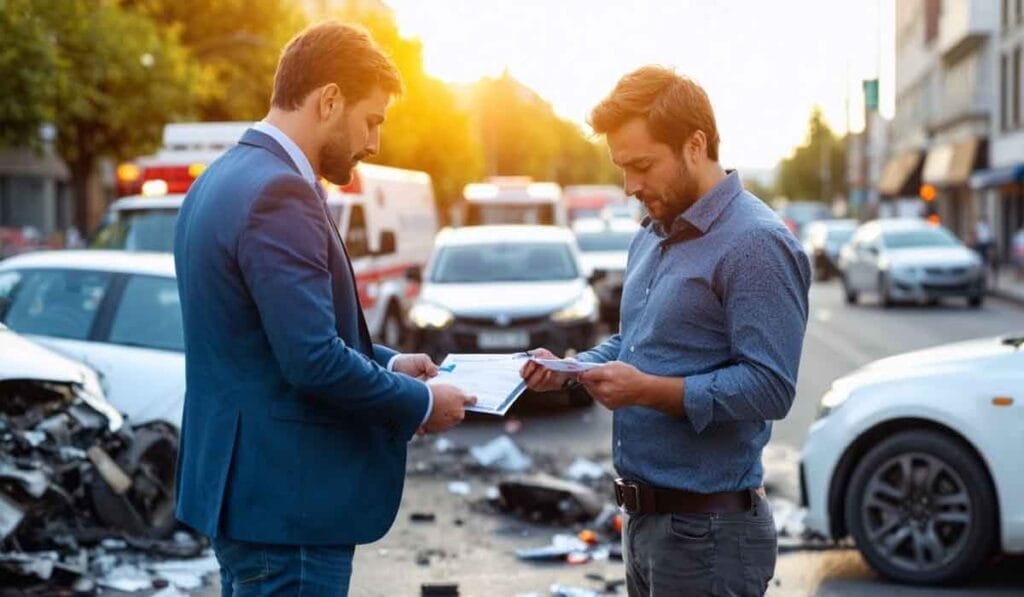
[{"x": 514, "y": 200}]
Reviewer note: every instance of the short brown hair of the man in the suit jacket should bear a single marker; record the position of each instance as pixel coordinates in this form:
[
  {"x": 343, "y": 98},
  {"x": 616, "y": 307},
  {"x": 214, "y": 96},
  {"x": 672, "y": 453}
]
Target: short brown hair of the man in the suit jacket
[{"x": 332, "y": 53}]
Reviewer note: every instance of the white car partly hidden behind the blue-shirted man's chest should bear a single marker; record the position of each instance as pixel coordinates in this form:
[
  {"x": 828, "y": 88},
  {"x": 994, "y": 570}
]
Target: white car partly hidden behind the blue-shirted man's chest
[{"x": 605, "y": 246}]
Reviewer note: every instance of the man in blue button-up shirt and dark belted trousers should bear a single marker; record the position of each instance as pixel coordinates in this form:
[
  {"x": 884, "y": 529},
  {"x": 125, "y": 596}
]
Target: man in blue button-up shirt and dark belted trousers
[{"x": 713, "y": 317}]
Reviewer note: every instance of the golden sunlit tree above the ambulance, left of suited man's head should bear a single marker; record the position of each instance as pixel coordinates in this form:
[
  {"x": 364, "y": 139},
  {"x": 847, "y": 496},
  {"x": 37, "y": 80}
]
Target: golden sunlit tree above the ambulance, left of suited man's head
[{"x": 235, "y": 45}]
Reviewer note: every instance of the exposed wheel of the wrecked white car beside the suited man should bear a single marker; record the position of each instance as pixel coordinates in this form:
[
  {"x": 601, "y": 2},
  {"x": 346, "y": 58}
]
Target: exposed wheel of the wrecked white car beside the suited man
[{"x": 147, "y": 510}]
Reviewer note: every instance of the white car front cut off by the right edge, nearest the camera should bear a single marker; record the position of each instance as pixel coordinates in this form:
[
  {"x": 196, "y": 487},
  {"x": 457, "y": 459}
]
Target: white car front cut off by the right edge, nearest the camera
[{"x": 918, "y": 458}]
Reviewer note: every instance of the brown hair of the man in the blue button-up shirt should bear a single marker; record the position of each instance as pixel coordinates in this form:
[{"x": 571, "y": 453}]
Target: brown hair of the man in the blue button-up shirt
[{"x": 674, "y": 107}]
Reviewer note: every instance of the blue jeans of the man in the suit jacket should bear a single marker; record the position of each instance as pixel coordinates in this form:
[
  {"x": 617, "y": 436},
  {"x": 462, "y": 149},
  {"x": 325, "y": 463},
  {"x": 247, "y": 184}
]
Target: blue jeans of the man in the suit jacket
[{"x": 251, "y": 570}]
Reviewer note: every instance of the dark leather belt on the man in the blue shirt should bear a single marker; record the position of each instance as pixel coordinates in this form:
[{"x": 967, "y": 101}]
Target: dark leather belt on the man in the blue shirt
[{"x": 637, "y": 498}]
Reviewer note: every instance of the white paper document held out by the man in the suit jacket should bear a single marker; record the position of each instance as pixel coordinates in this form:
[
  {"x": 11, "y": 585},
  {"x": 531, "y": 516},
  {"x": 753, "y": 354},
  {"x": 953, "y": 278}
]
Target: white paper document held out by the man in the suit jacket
[{"x": 494, "y": 379}]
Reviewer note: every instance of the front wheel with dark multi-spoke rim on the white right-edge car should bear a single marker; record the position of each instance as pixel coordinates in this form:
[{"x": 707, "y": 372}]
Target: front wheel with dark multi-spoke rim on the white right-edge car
[{"x": 921, "y": 509}]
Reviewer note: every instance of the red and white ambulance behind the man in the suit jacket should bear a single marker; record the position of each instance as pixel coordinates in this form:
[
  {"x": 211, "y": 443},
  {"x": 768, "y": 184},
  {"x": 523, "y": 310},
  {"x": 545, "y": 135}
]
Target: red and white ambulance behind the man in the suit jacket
[{"x": 388, "y": 218}]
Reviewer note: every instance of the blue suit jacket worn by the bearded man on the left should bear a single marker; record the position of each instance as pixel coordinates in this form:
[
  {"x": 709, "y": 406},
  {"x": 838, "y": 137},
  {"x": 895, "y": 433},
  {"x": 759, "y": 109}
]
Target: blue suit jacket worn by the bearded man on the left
[{"x": 294, "y": 433}]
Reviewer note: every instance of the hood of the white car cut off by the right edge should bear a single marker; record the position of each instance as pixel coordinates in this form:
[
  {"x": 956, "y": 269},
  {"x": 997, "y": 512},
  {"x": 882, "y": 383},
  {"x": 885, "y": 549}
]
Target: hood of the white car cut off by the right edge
[{"x": 957, "y": 360}]
